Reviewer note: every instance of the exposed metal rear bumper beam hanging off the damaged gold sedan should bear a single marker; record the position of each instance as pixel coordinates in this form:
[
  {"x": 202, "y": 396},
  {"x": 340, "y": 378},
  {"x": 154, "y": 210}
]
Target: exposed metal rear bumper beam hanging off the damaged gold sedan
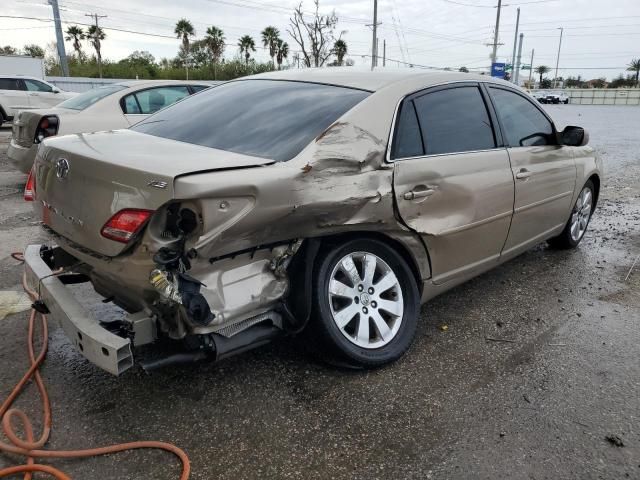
[{"x": 101, "y": 347}]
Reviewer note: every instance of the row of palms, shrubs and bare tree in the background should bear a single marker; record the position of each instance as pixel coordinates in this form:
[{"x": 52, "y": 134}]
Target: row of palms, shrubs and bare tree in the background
[{"x": 204, "y": 58}]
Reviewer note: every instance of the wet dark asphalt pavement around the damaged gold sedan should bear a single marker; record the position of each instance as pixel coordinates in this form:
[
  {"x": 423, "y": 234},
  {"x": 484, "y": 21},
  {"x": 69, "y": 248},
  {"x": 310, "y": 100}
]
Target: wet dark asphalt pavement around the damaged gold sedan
[{"x": 561, "y": 373}]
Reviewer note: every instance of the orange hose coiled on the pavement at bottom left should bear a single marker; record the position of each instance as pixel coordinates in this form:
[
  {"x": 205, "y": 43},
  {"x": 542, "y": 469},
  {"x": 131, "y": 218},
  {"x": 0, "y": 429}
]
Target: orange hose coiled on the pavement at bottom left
[{"x": 31, "y": 448}]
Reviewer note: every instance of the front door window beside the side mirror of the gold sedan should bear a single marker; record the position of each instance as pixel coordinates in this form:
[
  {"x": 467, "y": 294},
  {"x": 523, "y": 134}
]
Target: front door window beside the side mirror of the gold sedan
[{"x": 523, "y": 124}]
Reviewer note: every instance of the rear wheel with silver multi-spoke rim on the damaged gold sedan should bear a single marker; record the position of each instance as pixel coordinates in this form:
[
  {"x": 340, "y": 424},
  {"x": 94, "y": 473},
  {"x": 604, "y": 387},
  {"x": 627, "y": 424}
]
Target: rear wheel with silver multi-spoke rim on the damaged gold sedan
[{"x": 366, "y": 305}]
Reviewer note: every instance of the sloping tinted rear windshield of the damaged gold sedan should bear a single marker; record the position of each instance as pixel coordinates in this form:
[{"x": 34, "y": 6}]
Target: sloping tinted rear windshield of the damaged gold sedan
[{"x": 264, "y": 118}]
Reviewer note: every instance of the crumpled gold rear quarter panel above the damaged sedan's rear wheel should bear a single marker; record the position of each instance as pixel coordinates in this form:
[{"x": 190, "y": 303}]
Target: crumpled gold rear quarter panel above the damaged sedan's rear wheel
[{"x": 339, "y": 184}]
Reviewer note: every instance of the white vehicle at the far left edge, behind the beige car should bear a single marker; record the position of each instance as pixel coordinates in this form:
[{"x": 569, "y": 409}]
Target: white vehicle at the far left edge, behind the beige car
[{"x": 22, "y": 93}]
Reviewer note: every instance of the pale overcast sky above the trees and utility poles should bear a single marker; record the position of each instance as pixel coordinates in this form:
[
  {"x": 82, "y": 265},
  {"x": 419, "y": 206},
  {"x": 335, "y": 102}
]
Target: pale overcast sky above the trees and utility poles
[{"x": 600, "y": 37}]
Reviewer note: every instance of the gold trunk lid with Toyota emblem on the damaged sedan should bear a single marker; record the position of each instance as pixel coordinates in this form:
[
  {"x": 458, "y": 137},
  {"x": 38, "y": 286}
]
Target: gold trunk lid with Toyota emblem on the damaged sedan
[{"x": 82, "y": 180}]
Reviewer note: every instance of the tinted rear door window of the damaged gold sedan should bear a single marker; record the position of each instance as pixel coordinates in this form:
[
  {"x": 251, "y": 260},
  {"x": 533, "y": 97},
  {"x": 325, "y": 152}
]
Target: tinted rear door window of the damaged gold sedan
[{"x": 454, "y": 120}]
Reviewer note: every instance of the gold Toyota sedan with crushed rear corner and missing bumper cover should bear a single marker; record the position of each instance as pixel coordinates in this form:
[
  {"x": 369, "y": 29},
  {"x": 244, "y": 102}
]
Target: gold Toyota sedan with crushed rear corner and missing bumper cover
[{"x": 328, "y": 203}]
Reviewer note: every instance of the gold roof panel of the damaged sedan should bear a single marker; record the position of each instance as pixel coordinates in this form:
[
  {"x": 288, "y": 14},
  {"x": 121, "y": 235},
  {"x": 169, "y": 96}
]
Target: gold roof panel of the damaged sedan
[{"x": 373, "y": 80}]
